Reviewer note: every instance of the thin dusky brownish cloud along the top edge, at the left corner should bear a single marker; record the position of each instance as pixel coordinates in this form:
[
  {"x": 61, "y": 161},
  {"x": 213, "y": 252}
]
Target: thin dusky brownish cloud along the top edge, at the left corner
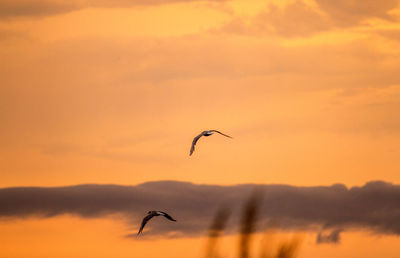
[{"x": 24, "y": 8}]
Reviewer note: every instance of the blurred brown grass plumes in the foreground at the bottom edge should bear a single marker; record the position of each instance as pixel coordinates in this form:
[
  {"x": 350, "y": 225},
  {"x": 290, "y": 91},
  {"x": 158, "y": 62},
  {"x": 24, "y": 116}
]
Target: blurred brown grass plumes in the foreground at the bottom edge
[{"x": 286, "y": 249}]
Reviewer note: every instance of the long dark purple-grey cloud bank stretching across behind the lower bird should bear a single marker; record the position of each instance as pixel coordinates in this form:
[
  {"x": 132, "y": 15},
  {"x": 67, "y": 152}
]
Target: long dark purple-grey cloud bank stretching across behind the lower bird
[{"x": 373, "y": 206}]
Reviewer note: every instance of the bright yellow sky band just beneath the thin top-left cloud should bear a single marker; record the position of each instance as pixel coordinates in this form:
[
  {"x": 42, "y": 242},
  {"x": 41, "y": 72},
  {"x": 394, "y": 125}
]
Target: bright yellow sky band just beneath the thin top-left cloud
[{"x": 142, "y": 21}]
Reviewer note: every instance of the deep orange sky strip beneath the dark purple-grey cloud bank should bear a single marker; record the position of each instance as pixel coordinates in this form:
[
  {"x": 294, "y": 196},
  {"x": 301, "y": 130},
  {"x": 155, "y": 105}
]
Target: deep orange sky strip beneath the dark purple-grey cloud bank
[{"x": 67, "y": 236}]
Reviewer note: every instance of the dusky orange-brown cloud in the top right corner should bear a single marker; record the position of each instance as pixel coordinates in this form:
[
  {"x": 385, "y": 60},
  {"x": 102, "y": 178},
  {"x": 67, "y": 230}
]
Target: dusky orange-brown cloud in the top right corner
[{"x": 300, "y": 19}]
